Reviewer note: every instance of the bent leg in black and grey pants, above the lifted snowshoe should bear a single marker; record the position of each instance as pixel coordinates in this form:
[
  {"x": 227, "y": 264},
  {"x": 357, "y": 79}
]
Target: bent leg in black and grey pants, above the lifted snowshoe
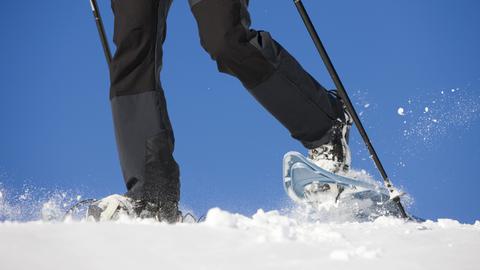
[{"x": 267, "y": 70}]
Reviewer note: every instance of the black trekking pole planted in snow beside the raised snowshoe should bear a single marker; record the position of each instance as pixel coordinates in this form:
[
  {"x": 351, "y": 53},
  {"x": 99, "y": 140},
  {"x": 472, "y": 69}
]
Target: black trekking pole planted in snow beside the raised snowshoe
[{"x": 394, "y": 195}]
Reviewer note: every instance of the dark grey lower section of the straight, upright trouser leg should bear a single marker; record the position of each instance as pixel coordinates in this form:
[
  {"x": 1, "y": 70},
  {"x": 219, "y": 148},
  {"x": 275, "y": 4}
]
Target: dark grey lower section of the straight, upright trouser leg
[{"x": 145, "y": 145}]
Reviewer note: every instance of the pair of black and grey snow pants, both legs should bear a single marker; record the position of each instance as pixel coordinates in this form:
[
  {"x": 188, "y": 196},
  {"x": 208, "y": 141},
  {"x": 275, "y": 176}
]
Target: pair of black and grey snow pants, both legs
[{"x": 143, "y": 131}]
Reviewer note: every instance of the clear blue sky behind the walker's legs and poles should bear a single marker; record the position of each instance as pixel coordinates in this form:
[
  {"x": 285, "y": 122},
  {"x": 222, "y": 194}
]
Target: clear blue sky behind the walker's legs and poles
[{"x": 56, "y": 128}]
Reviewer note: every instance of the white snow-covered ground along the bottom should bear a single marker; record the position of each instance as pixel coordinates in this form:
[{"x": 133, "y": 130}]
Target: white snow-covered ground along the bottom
[{"x": 267, "y": 240}]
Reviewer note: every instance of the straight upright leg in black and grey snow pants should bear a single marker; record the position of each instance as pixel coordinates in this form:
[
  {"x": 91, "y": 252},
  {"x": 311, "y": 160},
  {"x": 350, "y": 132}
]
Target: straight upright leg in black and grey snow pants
[{"x": 142, "y": 127}]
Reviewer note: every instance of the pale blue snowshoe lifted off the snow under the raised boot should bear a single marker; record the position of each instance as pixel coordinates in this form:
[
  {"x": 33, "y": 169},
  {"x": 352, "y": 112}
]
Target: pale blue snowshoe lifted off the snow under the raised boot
[{"x": 307, "y": 183}]
